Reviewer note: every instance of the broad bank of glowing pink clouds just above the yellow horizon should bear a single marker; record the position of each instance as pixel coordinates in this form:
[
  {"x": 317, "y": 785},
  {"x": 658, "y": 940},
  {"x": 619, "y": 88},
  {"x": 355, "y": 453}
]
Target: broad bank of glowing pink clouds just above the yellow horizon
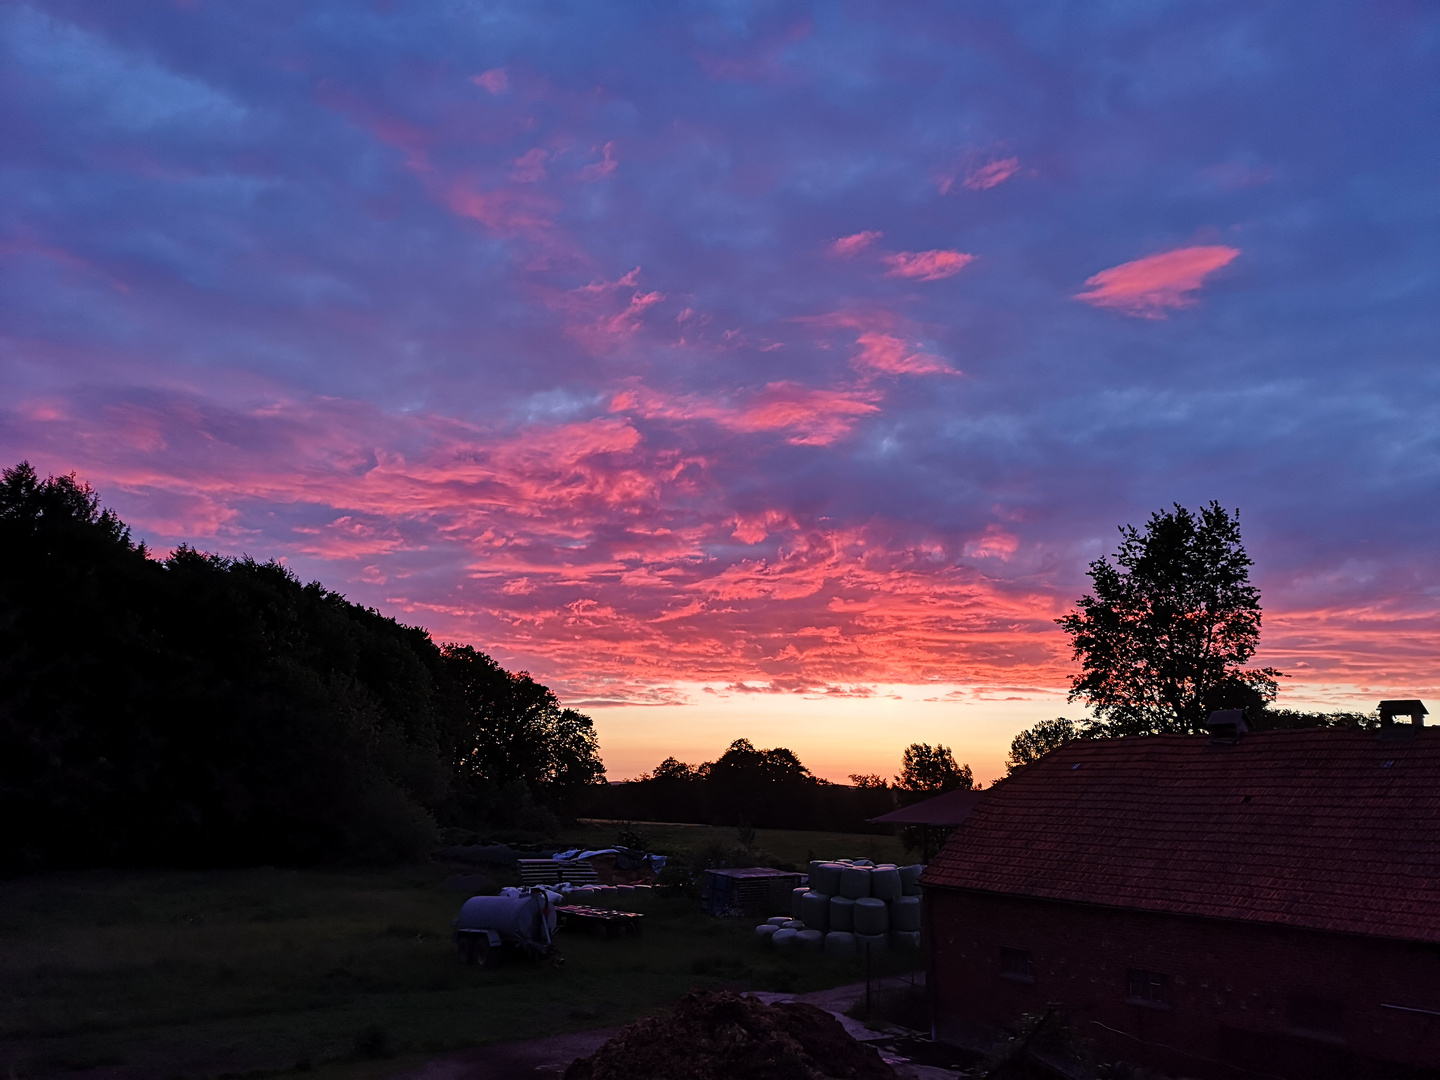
[{"x": 604, "y": 558}]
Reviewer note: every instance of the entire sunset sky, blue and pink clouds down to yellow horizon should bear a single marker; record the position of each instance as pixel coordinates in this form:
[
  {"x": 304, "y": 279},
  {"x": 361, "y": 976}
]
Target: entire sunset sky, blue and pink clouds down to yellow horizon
[{"x": 764, "y": 371}]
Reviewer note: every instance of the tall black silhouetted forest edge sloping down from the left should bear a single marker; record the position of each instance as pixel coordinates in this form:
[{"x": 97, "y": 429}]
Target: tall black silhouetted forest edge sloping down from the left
[{"x": 201, "y": 711}]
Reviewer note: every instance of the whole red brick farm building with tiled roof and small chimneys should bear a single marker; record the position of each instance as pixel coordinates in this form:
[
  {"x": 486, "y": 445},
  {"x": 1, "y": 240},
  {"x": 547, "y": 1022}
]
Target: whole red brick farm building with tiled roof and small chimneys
[{"x": 1249, "y": 904}]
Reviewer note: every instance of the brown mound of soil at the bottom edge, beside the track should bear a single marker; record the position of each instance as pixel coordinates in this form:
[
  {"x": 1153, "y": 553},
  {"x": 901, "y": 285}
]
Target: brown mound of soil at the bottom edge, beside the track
[{"x": 721, "y": 1036}]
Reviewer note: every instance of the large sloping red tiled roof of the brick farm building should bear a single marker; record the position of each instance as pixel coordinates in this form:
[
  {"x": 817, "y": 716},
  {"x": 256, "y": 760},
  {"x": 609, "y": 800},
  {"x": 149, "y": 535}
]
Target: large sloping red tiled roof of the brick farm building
[{"x": 1321, "y": 829}]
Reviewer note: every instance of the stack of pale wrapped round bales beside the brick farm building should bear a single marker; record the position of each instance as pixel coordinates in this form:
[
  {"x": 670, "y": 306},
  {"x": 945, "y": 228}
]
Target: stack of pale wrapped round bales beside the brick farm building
[{"x": 850, "y": 906}]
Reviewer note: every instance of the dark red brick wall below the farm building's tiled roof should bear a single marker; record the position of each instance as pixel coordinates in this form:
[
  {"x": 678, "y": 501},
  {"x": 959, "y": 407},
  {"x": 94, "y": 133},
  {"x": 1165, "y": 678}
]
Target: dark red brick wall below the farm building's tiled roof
[{"x": 1213, "y": 996}]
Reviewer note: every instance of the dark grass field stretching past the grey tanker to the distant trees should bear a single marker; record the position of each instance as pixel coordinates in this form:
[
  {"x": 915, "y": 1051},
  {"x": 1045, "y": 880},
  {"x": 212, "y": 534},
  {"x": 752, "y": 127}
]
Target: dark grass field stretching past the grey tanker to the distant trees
[{"x": 243, "y": 971}]
